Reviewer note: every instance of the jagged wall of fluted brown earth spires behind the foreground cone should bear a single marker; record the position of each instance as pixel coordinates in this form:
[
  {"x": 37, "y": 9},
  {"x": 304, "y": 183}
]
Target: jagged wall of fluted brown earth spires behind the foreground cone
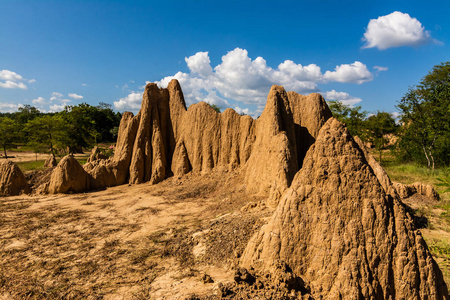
[{"x": 166, "y": 139}]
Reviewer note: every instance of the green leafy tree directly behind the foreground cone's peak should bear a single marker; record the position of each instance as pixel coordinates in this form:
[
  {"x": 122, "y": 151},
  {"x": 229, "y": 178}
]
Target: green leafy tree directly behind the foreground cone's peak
[{"x": 353, "y": 117}]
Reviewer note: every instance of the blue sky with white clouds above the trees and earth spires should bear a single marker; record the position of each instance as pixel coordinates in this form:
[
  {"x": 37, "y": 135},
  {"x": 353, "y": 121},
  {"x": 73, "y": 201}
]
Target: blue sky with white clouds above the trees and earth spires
[{"x": 56, "y": 53}]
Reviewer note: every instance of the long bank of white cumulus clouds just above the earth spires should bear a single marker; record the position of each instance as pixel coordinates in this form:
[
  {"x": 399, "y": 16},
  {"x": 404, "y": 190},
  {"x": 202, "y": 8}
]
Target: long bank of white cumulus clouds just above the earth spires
[{"x": 241, "y": 81}]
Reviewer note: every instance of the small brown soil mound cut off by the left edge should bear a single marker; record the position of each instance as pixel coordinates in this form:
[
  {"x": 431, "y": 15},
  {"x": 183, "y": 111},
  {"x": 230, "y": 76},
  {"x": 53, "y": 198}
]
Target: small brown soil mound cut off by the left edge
[{"x": 12, "y": 181}]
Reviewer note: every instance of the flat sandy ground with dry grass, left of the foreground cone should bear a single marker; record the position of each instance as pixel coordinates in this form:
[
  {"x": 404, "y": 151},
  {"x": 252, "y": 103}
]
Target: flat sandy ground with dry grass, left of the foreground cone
[{"x": 127, "y": 242}]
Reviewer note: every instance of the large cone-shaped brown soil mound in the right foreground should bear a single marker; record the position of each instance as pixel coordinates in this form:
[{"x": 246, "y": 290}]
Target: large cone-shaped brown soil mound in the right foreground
[{"x": 342, "y": 234}]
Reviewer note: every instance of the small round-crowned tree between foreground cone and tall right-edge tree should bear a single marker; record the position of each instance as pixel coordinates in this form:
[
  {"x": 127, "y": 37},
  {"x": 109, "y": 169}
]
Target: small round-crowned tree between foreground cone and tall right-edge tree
[{"x": 378, "y": 127}]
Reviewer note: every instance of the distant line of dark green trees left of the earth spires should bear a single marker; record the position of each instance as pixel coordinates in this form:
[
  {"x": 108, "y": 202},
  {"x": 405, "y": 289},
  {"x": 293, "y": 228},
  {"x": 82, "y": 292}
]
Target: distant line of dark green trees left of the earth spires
[{"x": 68, "y": 131}]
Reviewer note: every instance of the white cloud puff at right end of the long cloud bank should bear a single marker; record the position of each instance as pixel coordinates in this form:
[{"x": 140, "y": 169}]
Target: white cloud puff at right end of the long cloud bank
[{"x": 356, "y": 72}]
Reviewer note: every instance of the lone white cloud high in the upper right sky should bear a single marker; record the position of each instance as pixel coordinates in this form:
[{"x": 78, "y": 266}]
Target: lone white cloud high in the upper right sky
[{"x": 395, "y": 30}]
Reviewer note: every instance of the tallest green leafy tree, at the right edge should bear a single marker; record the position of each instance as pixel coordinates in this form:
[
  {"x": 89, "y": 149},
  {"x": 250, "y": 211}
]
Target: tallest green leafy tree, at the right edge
[{"x": 425, "y": 134}]
